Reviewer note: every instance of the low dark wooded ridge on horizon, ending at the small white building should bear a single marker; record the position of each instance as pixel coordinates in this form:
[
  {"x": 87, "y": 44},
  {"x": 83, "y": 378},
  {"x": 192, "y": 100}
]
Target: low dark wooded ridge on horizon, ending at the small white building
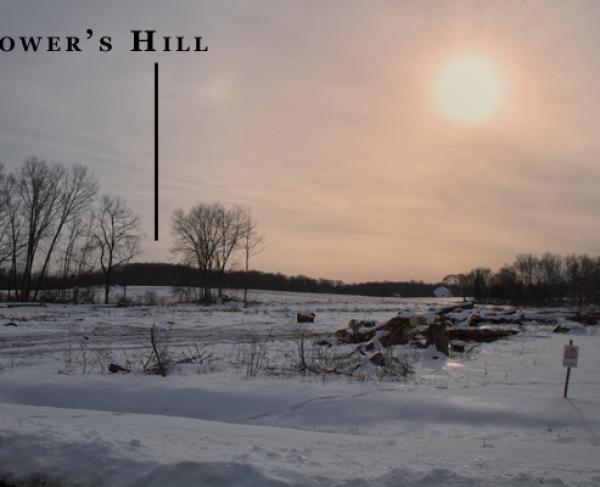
[{"x": 177, "y": 275}]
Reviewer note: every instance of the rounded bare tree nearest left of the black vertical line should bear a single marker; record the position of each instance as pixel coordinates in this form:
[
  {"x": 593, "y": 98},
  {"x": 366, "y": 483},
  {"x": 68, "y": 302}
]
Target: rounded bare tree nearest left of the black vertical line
[{"x": 117, "y": 235}]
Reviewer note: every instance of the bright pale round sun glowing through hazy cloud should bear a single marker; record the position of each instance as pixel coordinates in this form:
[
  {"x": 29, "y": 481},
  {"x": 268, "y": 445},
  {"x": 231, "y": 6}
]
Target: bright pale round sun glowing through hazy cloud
[{"x": 469, "y": 89}]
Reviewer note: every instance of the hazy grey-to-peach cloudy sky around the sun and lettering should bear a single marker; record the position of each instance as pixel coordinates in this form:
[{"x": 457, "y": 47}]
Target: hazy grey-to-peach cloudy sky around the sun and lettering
[{"x": 323, "y": 118}]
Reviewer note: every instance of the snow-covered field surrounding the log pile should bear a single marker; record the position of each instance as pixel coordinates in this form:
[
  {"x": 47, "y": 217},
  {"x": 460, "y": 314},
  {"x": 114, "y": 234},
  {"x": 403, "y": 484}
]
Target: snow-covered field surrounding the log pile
[{"x": 492, "y": 416}]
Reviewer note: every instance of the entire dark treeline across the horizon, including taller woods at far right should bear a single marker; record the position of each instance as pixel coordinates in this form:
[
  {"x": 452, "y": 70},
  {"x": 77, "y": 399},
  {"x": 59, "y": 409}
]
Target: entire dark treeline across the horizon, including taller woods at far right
[{"x": 541, "y": 280}]
